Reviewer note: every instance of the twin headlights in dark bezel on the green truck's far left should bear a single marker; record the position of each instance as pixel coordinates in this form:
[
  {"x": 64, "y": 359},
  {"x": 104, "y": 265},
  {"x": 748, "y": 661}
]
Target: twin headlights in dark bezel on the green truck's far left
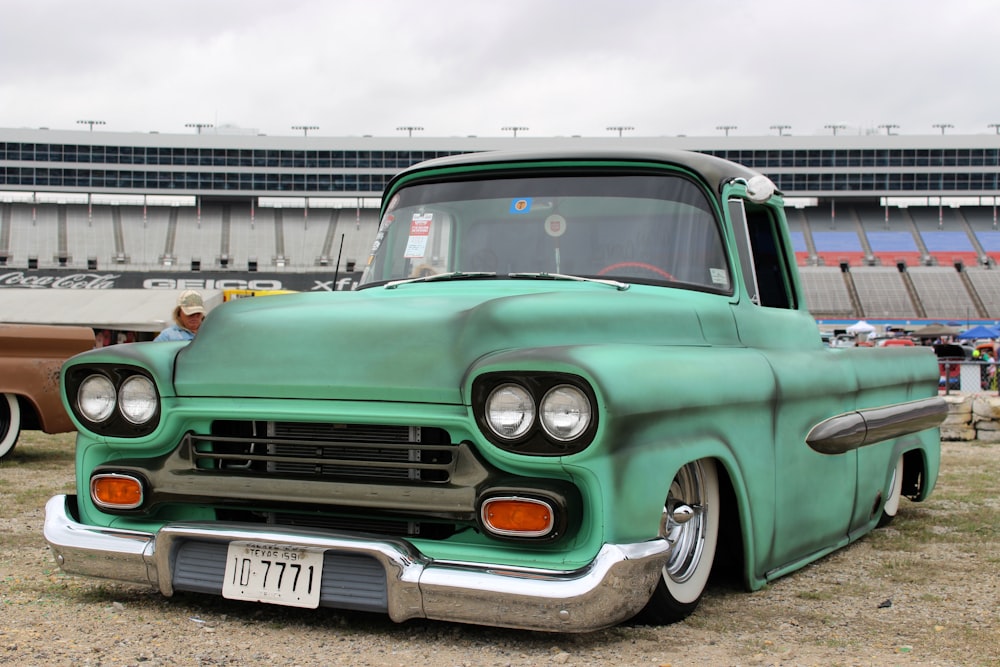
[{"x": 133, "y": 413}]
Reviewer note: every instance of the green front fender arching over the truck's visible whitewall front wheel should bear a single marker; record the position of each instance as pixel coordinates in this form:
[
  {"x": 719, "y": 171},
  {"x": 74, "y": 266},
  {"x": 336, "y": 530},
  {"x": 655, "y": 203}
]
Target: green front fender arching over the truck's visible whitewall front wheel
[{"x": 660, "y": 408}]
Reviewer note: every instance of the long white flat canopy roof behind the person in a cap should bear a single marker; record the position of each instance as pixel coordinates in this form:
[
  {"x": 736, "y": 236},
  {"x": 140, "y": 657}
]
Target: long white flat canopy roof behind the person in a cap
[{"x": 117, "y": 309}]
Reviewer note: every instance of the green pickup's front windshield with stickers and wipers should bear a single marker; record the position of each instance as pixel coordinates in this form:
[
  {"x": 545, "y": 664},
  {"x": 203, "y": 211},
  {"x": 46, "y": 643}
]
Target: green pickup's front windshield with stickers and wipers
[{"x": 632, "y": 228}]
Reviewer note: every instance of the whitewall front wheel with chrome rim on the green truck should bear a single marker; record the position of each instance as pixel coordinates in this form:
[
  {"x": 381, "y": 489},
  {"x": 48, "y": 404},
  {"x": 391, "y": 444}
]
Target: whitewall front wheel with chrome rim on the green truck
[{"x": 691, "y": 524}]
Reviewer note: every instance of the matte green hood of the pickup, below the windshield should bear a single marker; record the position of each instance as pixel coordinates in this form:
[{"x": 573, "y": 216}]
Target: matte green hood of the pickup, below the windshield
[{"x": 416, "y": 343}]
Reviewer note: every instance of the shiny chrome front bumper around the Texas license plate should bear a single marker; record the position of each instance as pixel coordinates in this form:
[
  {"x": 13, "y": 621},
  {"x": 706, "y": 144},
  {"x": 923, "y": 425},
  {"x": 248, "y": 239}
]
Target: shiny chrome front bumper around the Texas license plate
[{"x": 610, "y": 589}]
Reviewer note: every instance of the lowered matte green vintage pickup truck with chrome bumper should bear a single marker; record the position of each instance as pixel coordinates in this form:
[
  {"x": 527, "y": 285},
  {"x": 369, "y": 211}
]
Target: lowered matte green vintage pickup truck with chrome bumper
[{"x": 567, "y": 382}]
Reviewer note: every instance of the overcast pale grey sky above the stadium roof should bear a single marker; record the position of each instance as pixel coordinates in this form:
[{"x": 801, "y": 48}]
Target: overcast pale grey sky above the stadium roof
[{"x": 472, "y": 67}]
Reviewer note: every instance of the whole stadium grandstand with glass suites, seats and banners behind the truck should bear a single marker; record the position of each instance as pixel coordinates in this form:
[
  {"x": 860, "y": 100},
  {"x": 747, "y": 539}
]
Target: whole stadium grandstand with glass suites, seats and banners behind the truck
[{"x": 884, "y": 227}]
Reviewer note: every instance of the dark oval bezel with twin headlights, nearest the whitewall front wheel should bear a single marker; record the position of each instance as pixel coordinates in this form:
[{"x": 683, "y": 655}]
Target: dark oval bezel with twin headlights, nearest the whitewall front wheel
[{"x": 536, "y": 437}]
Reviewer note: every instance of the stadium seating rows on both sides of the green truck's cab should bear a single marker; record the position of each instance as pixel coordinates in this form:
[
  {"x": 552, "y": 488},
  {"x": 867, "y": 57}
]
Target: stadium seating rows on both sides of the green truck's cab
[{"x": 850, "y": 267}]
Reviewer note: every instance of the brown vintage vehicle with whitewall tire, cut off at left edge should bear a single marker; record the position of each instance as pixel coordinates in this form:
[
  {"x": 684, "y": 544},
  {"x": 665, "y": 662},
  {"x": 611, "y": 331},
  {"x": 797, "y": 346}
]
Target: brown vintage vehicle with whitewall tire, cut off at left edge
[{"x": 30, "y": 359}]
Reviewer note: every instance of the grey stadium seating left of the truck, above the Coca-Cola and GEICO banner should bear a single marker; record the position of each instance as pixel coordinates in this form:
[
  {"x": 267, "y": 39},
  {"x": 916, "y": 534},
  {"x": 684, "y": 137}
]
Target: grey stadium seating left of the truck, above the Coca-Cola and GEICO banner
[{"x": 216, "y": 236}]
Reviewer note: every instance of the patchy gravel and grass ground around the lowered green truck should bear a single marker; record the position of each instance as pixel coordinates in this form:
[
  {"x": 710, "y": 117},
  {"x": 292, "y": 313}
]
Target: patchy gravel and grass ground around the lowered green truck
[{"x": 923, "y": 591}]
